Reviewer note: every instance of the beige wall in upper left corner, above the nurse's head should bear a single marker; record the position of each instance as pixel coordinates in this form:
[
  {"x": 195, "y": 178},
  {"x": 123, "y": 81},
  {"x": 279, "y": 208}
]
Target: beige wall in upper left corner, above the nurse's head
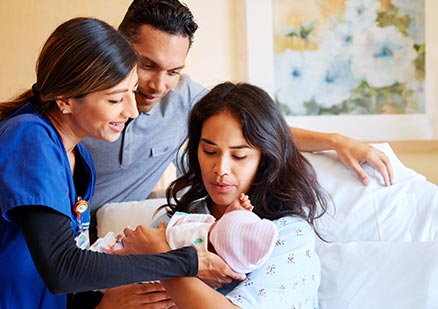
[{"x": 26, "y": 24}]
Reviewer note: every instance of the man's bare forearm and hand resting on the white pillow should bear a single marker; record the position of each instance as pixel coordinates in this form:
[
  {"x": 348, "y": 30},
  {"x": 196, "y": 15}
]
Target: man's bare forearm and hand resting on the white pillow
[{"x": 351, "y": 152}]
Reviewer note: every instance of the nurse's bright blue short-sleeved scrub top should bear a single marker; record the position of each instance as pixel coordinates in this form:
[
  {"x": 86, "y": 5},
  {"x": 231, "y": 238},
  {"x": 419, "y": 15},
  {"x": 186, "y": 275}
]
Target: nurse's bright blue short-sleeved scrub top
[{"x": 34, "y": 170}]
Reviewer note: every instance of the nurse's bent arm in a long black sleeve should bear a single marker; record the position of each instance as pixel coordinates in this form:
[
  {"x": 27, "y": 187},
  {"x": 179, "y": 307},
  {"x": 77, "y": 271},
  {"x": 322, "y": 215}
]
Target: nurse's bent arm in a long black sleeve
[{"x": 66, "y": 268}]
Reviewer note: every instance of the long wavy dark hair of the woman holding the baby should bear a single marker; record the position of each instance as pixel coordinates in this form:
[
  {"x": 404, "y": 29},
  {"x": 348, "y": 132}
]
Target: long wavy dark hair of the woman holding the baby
[{"x": 285, "y": 182}]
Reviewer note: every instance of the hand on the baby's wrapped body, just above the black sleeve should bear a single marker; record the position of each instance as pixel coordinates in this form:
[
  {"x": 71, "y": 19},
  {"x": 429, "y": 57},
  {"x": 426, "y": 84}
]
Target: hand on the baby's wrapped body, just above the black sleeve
[{"x": 144, "y": 240}]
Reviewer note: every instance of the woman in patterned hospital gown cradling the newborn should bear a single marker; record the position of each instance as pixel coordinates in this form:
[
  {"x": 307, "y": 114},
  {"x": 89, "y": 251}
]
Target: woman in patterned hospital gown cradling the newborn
[{"x": 239, "y": 143}]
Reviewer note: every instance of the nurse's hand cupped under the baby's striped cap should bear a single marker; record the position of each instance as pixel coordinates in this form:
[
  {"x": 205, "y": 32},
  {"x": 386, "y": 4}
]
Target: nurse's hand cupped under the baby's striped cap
[{"x": 215, "y": 272}]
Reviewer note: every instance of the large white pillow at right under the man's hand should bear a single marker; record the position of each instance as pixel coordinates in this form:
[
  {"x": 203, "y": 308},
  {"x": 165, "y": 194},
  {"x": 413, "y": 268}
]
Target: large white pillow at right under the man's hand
[{"x": 404, "y": 211}]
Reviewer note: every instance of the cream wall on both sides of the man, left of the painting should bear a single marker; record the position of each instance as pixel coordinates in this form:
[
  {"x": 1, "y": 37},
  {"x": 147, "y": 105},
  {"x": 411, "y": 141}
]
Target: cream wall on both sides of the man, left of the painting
[{"x": 26, "y": 24}]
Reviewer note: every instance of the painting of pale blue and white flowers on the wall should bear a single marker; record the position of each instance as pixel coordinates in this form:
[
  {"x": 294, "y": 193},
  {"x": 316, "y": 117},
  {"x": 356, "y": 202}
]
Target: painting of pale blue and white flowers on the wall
[{"x": 338, "y": 57}]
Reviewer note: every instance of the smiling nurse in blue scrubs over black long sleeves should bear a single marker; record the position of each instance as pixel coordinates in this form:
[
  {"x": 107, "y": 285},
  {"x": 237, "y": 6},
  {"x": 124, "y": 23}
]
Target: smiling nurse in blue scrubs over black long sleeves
[{"x": 85, "y": 85}]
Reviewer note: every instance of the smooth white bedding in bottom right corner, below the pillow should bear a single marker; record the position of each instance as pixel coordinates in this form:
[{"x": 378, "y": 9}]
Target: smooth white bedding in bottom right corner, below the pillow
[{"x": 379, "y": 275}]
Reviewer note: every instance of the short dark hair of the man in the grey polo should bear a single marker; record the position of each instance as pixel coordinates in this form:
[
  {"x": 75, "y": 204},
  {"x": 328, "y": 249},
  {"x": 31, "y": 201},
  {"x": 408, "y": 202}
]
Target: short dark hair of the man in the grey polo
[{"x": 170, "y": 16}]
